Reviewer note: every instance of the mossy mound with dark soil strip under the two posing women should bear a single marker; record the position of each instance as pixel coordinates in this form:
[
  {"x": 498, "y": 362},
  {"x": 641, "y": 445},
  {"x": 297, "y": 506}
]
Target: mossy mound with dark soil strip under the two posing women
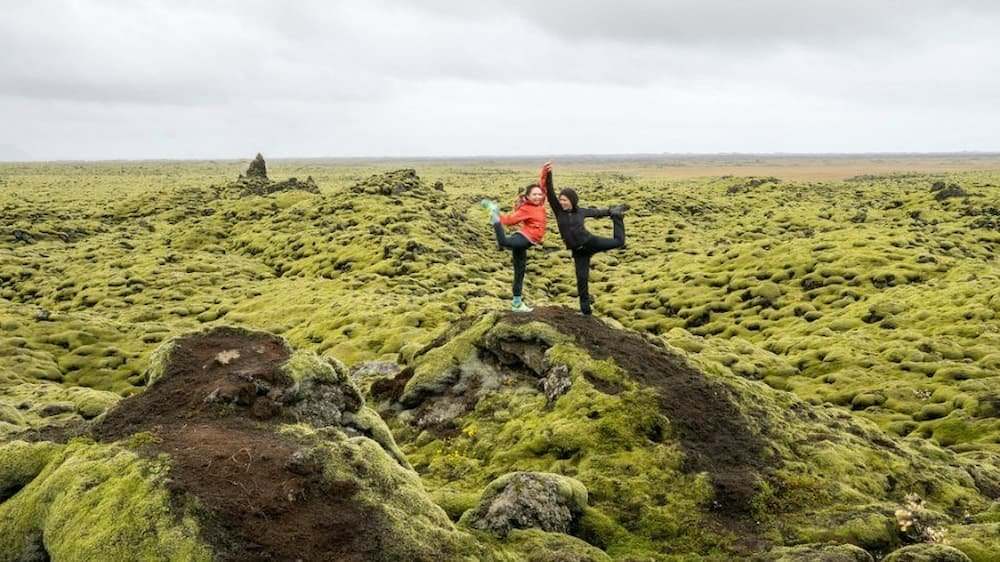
[{"x": 675, "y": 453}]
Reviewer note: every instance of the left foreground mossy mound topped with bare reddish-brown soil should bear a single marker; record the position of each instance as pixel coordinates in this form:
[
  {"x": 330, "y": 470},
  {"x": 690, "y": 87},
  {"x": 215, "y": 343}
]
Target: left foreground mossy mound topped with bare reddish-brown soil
[{"x": 239, "y": 449}]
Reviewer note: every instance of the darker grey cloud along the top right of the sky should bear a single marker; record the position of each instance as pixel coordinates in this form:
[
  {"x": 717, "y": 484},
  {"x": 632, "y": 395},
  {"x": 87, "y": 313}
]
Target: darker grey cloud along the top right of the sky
[{"x": 729, "y": 25}]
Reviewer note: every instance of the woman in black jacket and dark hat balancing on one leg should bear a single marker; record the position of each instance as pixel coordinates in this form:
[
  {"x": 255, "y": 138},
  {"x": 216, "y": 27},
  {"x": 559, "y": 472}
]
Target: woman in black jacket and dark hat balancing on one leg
[{"x": 583, "y": 244}]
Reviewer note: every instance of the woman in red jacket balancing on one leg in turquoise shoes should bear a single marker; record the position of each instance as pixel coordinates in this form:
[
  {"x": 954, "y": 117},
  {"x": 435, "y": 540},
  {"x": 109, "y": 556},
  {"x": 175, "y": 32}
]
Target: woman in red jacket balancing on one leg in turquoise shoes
[{"x": 529, "y": 212}]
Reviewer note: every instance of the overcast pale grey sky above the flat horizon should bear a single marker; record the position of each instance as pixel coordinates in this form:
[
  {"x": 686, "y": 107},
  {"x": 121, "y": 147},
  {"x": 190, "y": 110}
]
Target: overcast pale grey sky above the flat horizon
[{"x": 103, "y": 79}]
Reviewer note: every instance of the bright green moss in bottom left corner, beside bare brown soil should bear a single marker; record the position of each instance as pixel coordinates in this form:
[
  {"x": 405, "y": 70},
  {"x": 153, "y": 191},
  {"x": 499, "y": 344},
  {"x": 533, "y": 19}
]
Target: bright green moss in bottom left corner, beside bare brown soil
[{"x": 97, "y": 502}]
